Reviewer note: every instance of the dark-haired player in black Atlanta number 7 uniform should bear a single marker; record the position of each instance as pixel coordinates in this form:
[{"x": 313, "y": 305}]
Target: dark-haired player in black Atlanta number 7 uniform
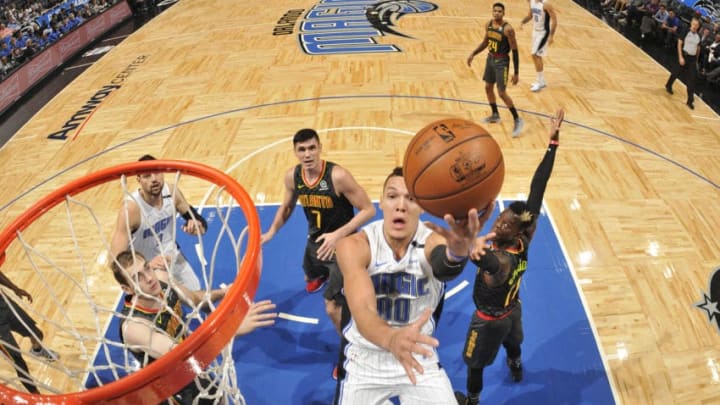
[{"x": 328, "y": 194}]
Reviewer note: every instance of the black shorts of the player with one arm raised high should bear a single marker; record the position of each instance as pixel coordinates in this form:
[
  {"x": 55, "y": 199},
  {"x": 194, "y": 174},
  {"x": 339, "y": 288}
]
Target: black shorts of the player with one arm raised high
[{"x": 485, "y": 337}]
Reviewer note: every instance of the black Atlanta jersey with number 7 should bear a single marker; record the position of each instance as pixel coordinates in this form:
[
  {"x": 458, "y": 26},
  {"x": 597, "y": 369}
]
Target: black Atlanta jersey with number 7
[{"x": 324, "y": 209}]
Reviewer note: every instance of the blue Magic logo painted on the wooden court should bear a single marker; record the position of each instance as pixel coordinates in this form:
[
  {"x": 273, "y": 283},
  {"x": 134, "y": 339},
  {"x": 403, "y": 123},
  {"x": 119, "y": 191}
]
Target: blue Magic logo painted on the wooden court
[{"x": 341, "y": 27}]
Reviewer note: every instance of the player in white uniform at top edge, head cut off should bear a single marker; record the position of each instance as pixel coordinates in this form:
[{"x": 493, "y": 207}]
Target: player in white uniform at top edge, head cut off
[{"x": 544, "y": 18}]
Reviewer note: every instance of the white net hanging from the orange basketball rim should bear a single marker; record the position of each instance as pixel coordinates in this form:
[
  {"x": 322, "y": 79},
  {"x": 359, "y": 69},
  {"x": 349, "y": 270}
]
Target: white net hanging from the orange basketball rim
[{"x": 61, "y": 259}]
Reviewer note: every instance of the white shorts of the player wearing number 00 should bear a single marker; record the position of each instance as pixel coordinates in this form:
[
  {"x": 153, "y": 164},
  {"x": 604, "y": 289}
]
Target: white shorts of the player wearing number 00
[{"x": 374, "y": 376}]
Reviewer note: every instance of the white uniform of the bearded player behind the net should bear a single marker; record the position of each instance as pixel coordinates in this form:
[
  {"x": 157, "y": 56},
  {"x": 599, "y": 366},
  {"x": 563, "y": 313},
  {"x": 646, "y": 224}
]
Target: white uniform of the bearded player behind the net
[{"x": 162, "y": 222}]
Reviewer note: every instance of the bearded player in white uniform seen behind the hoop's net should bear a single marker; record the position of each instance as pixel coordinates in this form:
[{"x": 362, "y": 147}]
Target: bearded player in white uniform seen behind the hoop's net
[{"x": 149, "y": 217}]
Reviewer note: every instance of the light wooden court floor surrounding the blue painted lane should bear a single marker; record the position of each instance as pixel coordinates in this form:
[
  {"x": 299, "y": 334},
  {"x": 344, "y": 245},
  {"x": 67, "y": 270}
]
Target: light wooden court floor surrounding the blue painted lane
[{"x": 634, "y": 194}]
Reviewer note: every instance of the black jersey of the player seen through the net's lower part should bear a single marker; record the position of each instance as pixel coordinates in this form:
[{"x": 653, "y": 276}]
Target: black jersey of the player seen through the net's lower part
[{"x": 168, "y": 318}]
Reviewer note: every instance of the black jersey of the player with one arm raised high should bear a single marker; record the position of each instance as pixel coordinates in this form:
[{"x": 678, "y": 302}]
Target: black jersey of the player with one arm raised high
[{"x": 503, "y": 298}]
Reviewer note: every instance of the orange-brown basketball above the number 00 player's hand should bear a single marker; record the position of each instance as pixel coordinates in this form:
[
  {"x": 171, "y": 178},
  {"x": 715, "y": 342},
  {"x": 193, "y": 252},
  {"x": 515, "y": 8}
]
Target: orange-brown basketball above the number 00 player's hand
[{"x": 453, "y": 165}]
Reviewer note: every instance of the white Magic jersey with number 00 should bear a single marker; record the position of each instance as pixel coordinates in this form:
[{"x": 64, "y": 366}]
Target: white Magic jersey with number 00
[{"x": 404, "y": 288}]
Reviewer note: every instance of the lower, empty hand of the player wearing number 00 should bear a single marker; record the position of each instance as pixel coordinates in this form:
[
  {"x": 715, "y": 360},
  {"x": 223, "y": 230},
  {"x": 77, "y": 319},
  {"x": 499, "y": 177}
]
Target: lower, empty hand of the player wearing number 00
[{"x": 406, "y": 341}]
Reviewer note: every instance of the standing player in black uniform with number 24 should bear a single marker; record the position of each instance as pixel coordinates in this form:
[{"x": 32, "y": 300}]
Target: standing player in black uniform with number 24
[{"x": 500, "y": 41}]
